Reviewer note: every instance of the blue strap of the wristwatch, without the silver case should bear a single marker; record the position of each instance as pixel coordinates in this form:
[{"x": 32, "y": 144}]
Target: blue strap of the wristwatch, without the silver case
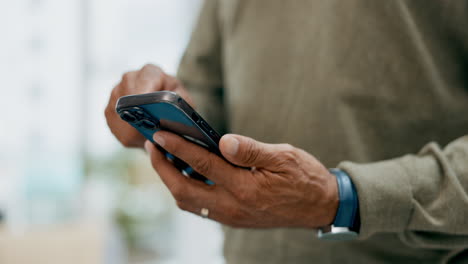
[{"x": 349, "y": 204}]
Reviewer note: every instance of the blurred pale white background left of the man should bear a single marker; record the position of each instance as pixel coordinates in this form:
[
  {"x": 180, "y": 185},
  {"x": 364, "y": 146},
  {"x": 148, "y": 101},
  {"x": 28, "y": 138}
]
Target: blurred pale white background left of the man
[{"x": 69, "y": 193}]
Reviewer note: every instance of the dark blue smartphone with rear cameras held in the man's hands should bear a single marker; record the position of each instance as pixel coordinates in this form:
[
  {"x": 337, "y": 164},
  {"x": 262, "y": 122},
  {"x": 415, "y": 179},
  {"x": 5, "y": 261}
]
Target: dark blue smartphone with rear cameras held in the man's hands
[{"x": 166, "y": 110}]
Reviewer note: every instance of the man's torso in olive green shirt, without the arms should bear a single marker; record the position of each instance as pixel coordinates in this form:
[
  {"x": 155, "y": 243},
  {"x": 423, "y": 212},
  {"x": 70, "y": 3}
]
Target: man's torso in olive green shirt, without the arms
[{"x": 356, "y": 80}]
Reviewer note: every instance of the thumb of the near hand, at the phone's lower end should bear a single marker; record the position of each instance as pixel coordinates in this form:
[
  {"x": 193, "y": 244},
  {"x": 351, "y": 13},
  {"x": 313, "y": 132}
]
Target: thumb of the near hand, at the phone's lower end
[{"x": 246, "y": 152}]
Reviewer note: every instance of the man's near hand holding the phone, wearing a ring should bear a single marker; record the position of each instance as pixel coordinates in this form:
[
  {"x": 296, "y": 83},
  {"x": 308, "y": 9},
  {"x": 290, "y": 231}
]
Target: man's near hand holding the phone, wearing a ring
[{"x": 286, "y": 187}]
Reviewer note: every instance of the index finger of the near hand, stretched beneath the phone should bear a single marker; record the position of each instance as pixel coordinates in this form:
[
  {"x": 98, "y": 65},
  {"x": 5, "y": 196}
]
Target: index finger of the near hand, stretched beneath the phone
[{"x": 200, "y": 159}]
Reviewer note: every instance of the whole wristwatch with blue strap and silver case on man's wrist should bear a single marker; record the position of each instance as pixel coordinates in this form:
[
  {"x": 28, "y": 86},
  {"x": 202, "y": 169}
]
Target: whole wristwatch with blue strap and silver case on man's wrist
[{"x": 347, "y": 221}]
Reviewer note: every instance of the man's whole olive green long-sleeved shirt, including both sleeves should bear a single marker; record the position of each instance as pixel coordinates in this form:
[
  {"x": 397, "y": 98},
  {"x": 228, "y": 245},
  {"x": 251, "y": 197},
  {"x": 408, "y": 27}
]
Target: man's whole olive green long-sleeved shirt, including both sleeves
[{"x": 377, "y": 88}]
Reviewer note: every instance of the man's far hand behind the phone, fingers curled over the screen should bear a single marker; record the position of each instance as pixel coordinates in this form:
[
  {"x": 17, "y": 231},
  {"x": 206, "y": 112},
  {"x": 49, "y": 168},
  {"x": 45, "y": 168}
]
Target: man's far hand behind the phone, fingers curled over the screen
[{"x": 149, "y": 79}]
